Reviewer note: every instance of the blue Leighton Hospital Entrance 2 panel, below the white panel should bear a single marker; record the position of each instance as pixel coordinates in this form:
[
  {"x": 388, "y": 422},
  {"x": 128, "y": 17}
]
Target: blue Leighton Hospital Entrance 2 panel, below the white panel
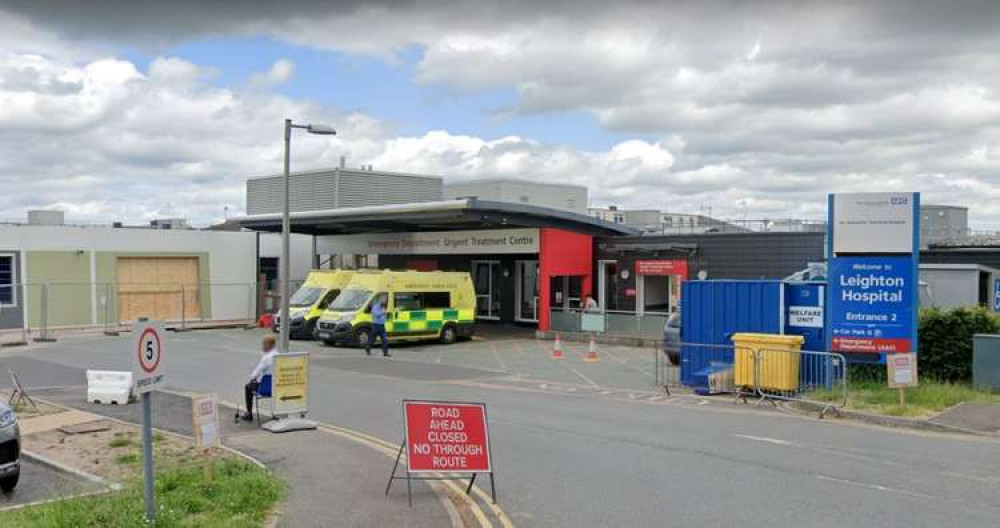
[{"x": 872, "y": 300}]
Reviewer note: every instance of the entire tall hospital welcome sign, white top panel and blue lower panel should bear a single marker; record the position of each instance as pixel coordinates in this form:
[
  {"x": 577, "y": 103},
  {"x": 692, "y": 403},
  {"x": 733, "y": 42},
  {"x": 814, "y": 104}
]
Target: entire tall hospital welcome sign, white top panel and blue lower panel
[{"x": 874, "y": 253}]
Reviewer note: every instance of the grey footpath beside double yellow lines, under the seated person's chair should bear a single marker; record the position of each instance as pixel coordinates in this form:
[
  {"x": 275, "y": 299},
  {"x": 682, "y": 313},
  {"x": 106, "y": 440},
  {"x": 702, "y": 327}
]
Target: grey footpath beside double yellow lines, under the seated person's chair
[{"x": 307, "y": 460}]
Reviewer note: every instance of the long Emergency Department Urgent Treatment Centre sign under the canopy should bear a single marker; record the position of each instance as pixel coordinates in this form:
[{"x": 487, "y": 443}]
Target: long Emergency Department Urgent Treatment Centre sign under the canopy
[{"x": 483, "y": 242}]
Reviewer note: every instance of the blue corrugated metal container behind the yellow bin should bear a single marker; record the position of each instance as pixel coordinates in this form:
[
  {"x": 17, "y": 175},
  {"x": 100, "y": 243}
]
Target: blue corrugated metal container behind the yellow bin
[{"x": 714, "y": 310}]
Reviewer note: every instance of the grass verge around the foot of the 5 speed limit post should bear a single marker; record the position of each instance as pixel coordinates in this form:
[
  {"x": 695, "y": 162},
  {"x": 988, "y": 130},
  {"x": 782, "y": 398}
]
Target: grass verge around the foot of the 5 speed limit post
[{"x": 241, "y": 494}]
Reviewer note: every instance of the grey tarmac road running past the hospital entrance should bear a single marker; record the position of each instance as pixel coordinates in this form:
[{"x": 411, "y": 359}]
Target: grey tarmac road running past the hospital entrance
[{"x": 574, "y": 459}]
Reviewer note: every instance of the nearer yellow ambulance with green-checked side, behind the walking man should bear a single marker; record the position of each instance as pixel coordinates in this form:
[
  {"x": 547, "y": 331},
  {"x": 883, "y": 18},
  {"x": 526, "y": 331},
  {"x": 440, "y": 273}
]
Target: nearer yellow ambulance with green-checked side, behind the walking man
[{"x": 421, "y": 304}]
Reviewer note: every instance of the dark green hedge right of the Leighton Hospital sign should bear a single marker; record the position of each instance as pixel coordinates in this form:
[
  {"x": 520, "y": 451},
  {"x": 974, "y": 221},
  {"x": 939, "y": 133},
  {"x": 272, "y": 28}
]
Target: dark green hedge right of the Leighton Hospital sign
[{"x": 945, "y": 338}]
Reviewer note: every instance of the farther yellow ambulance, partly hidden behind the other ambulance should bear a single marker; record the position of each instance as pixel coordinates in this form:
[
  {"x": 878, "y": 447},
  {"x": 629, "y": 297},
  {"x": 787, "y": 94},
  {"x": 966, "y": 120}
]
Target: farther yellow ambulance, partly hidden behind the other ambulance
[{"x": 308, "y": 302}]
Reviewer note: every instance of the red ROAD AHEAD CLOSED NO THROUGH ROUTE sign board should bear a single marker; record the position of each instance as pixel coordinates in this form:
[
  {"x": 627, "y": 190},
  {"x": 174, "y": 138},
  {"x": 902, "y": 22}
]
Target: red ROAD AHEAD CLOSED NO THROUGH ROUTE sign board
[{"x": 446, "y": 437}]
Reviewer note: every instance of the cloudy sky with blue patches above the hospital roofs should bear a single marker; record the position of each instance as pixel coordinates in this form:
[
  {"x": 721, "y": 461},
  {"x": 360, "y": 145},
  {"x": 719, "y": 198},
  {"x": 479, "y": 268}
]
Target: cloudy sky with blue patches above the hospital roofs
[{"x": 131, "y": 110}]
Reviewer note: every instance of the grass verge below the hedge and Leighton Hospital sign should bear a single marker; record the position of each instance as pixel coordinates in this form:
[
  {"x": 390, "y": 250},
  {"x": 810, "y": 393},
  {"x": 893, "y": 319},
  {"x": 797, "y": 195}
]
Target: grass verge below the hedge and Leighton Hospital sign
[{"x": 929, "y": 398}]
